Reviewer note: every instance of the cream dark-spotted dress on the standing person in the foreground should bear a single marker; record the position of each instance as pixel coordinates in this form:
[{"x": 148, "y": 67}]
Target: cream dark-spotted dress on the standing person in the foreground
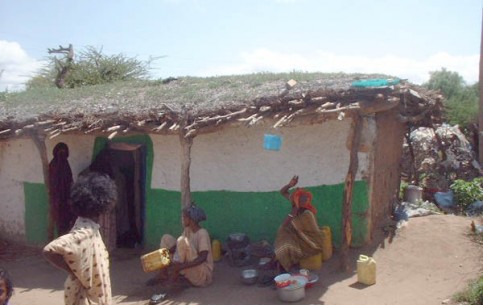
[{"x": 86, "y": 255}]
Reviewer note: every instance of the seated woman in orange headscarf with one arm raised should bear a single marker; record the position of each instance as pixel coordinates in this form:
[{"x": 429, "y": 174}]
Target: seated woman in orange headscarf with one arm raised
[{"x": 299, "y": 235}]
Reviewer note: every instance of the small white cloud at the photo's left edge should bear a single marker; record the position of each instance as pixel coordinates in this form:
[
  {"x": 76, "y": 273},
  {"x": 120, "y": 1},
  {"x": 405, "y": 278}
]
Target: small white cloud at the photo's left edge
[{"x": 16, "y": 66}]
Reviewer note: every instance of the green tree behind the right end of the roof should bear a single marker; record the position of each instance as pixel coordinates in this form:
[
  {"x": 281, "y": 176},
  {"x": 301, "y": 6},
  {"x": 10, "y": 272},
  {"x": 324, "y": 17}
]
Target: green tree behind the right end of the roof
[{"x": 461, "y": 101}]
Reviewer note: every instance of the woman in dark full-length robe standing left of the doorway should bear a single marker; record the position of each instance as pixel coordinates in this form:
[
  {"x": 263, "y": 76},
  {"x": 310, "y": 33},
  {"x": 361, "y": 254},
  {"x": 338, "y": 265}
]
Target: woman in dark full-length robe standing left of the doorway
[{"x": 60, "y": 180}]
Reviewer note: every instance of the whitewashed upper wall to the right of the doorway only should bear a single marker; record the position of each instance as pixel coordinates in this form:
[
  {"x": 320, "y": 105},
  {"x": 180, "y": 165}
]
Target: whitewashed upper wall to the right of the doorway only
[{"x": 234, "y": 158}]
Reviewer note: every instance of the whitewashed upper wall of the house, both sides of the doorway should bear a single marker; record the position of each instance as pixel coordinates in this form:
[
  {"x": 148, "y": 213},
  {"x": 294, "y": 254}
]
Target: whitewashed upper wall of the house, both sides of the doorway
[{"x": 231, "y": 159}]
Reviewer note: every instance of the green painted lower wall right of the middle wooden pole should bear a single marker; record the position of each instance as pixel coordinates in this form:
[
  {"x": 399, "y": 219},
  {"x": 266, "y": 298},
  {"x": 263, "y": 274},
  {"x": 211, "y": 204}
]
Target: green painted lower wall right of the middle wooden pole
[{"x": 260, "y": 214}]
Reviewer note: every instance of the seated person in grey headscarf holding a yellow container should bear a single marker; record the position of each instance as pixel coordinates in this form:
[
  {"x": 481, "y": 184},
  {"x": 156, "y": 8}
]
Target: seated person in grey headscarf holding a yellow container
[{"x": 191, "y": 252}]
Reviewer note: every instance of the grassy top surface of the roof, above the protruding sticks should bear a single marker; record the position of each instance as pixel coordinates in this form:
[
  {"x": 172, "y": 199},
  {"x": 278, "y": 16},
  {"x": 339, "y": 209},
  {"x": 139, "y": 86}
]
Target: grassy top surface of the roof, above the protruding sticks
[{"x": 196, "y": 93}]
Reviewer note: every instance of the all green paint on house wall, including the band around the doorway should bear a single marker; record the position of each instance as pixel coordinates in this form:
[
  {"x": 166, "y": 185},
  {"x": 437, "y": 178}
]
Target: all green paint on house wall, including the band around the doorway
[{"x": 258, "y": 214}]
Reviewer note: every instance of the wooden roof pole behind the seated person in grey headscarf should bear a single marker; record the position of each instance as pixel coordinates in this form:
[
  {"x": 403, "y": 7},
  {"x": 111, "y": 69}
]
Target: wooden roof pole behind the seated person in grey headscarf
[{"x": 186, "y": 143}]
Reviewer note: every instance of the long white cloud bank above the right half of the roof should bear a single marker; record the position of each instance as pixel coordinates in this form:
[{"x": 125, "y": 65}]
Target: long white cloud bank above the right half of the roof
[{"x": 416, "y": 71}]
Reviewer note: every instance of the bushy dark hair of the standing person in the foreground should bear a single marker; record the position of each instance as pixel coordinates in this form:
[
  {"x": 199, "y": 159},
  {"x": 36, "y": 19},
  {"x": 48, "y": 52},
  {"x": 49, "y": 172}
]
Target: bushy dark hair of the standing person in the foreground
[{"x": 93, "y": 194}]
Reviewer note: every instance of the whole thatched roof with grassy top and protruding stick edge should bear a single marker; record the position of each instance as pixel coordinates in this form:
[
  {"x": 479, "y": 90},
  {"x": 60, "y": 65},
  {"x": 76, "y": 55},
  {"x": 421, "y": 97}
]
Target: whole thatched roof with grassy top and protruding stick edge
[{"x": 196, "y": 105}]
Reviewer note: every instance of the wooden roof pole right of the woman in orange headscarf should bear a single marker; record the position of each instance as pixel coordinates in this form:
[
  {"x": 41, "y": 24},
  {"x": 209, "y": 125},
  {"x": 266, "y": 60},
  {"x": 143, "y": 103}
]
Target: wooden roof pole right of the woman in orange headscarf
[{"x": 348, "y": 191}]
